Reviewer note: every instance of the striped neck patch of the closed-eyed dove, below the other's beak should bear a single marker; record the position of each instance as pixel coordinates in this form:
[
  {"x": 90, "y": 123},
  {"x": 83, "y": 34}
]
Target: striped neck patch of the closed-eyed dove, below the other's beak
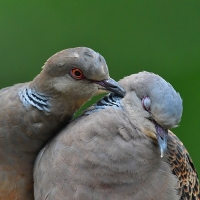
[{"x": 109, "y": 100}]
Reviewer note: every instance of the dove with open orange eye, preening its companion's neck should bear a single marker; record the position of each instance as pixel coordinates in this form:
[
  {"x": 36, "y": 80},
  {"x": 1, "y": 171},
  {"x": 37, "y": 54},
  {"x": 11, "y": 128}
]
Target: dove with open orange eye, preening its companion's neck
[{"x": 31, "y": 113}]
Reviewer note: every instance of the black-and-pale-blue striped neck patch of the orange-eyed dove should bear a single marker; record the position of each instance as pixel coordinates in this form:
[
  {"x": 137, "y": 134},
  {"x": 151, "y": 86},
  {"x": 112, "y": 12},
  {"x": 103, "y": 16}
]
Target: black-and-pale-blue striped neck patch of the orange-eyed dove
[{"x": 31, "y": 97}]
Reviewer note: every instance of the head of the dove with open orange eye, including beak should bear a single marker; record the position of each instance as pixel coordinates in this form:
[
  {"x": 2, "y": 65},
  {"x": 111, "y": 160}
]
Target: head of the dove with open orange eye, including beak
[{"x": 82, "y": 69}]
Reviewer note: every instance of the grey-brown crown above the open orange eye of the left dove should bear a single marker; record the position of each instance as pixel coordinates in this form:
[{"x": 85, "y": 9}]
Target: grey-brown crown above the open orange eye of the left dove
[{"x": 92, "y": 64}]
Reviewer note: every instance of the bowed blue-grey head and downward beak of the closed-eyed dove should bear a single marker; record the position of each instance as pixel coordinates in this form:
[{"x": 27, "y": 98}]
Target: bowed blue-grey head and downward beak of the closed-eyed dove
[{"x": 159, "y": 99}]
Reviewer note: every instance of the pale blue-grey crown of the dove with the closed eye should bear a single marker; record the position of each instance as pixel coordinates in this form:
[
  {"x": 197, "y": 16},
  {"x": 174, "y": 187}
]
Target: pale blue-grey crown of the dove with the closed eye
[{"x": 165, "y": 103}]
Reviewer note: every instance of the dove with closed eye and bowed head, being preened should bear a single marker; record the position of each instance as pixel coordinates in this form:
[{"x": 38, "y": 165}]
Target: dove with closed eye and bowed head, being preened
[{"x": 112, "y": 150}]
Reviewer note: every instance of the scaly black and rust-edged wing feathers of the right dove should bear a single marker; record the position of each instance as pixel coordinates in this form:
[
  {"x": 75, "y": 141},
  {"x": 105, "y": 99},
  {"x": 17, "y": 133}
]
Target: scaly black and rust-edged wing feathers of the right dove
[{"x": 183, "y": 168}]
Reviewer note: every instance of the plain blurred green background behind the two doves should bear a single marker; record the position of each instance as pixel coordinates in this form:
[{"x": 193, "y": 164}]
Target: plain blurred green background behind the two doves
[{"x": 158, "y": 36}]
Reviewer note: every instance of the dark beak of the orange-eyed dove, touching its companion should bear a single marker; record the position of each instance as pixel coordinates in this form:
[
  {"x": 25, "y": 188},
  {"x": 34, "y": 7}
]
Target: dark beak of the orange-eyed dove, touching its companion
[{"x": 112, "y": 86}]
